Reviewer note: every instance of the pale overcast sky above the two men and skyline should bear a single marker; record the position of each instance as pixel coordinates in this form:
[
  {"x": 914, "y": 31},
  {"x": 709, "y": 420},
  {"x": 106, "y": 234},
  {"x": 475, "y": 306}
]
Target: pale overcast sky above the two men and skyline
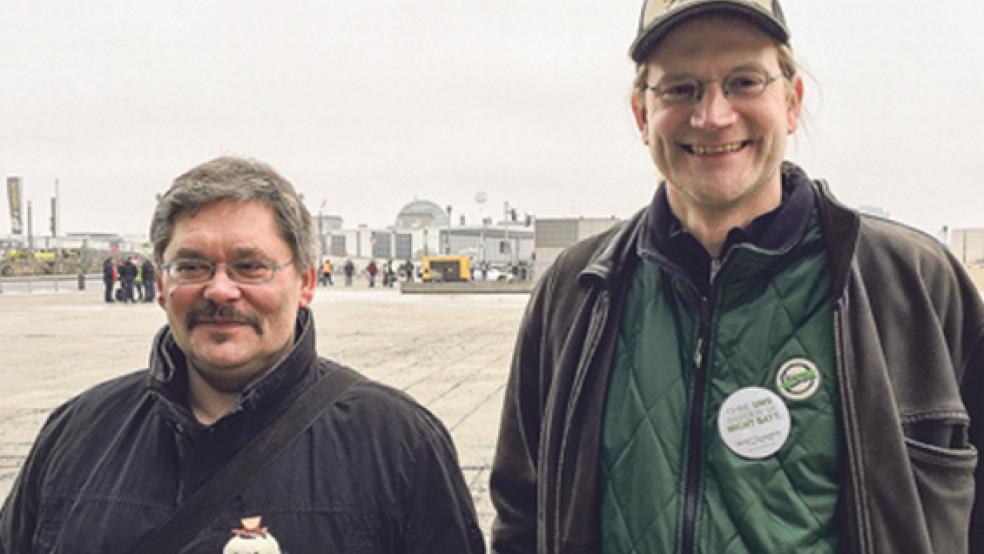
[{"x": 368, "y": 104}]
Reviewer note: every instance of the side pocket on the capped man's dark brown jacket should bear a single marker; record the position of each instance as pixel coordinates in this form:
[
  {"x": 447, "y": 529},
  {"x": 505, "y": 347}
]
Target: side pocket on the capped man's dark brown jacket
[{"x": 944, "y": 478}]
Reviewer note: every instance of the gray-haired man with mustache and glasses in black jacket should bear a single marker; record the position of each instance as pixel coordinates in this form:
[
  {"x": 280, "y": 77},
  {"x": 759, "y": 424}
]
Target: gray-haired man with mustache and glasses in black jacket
[{"x": 373, "y": 473}]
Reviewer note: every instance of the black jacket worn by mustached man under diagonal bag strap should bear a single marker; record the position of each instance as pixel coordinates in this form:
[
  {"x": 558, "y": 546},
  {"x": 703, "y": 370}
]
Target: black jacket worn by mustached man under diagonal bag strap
[{"x": 376, "y": 474}]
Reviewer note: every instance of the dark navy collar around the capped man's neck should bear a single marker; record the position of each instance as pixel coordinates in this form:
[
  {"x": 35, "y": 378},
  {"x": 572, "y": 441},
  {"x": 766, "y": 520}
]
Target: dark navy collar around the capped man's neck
[{"x": 664, "y": 239}]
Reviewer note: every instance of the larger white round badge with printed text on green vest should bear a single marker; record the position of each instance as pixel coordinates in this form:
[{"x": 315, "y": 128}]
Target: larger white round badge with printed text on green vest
[{"x": 754, "y": 422}]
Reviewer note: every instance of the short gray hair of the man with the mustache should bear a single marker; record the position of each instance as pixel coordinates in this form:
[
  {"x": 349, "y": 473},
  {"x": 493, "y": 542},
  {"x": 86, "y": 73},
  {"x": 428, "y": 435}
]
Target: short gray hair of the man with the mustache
[{"x": 242, "y": 180}]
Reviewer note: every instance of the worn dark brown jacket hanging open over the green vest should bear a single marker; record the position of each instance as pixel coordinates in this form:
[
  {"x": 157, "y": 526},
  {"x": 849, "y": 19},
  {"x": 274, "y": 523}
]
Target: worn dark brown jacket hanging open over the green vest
[{"x": 909, "y": 331}]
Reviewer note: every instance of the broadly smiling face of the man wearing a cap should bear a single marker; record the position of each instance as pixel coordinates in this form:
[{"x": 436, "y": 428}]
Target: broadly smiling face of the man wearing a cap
[{"x": 721, "y": 153}]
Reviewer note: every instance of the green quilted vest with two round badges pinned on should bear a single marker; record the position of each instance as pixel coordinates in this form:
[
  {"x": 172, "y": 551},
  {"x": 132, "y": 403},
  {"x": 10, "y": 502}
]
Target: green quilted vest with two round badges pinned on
[{"x": 669, "y": 480}]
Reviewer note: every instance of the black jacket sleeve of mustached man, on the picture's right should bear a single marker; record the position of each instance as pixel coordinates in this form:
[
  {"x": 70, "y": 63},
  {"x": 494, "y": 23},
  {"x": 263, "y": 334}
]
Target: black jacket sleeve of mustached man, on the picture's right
[{"x": 442, "y": 514}]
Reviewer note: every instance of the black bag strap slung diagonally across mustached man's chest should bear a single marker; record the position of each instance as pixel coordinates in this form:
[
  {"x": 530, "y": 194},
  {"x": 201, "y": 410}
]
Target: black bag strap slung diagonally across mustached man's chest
[{"x": 206, "y": 503}]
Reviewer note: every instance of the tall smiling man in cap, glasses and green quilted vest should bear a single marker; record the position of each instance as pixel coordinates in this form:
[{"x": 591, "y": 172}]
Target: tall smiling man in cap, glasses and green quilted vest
[{"x": 746, "y": 365}]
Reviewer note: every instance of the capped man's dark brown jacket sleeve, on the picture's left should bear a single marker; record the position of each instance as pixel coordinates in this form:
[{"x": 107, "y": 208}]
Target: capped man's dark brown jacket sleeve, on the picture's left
[{"x": 513, "y": 483}]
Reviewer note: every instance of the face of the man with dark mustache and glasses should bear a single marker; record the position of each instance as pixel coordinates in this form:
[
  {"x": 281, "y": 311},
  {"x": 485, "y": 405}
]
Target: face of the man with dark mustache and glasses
[{"x": 232, "y": 333}]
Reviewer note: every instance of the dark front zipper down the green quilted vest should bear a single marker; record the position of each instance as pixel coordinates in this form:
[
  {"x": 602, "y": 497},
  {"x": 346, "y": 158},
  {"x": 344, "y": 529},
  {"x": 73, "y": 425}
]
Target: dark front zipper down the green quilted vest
[{"x": 695, "y": 430}]
